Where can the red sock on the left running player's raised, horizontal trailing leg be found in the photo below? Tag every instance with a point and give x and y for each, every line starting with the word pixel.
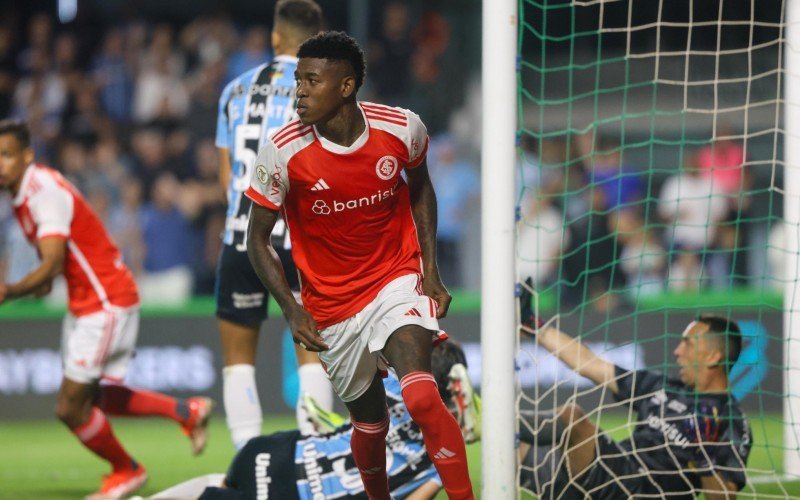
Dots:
pixel 121 400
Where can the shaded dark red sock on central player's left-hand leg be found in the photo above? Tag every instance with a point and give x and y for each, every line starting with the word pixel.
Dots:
pixel 368 444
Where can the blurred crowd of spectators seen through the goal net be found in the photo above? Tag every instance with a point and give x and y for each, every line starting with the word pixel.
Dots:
pixel 601 230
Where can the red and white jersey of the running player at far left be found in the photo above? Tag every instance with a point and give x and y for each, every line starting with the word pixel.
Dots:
pixel 49 206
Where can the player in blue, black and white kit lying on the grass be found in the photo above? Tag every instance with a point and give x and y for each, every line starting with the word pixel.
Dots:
pixel 288 465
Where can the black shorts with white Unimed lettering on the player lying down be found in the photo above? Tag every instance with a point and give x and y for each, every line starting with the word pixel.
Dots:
pixel 266 462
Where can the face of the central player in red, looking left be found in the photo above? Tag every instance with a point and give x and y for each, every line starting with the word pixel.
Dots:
pixel 322 88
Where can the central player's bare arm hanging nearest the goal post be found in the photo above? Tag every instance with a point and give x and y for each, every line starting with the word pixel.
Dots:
pixel 423 209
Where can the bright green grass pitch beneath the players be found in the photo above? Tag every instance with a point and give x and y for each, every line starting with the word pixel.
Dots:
pixel 41 460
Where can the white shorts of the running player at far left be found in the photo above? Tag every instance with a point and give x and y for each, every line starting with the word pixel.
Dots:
pixel 99 345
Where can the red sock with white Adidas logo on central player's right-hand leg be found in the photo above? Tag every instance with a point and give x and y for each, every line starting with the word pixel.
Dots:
pixel 440 431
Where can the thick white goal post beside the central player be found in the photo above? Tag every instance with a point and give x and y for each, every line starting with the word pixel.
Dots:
pixel 498 318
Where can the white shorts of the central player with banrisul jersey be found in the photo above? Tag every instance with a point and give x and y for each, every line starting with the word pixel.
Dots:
pixel 356 343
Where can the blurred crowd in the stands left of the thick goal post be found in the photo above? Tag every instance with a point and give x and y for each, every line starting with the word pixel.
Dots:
pixel 129 113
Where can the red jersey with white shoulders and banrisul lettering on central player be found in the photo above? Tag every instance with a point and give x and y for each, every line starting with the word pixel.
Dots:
pixel 348 208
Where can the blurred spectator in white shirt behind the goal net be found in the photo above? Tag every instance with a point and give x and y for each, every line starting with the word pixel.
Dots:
pixel 692 207
